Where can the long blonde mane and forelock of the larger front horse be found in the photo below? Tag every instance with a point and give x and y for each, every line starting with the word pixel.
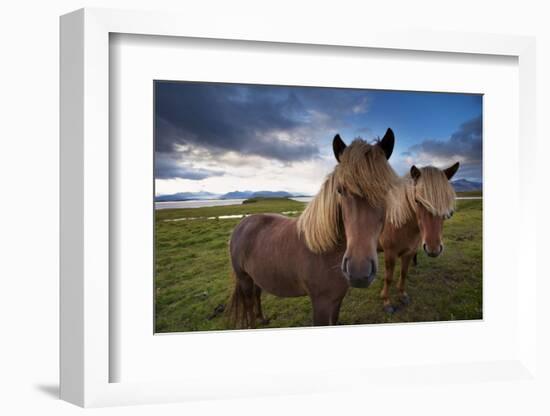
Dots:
pixel 363 171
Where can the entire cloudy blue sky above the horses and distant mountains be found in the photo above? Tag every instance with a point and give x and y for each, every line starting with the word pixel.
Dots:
pixel 225 137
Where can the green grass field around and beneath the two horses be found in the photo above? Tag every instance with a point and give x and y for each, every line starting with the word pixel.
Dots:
pixel 193 282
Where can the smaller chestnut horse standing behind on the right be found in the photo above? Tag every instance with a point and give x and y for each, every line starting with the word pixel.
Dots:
pixel 416 210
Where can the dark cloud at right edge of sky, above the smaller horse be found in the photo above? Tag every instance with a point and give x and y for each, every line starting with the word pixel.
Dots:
pixel 464 145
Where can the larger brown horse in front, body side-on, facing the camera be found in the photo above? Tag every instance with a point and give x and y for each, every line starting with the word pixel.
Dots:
pixel 331 246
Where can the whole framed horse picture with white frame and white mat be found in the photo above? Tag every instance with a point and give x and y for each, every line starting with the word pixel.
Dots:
pixel 284 213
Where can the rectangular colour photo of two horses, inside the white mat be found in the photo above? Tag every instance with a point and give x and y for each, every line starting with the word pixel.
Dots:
pixel 256 223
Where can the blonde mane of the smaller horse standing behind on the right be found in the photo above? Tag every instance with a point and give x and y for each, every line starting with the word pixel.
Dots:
pixel 432 189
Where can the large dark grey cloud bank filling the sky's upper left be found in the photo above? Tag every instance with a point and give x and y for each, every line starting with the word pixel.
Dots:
pixel 273 122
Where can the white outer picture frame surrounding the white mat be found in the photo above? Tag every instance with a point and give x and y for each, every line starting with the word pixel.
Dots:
pixel 85 165
